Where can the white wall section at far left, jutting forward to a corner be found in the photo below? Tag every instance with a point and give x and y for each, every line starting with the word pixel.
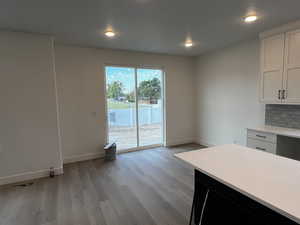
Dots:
pixel 29 143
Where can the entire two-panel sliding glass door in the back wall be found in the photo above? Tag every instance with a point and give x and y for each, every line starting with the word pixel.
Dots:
pixel 134 106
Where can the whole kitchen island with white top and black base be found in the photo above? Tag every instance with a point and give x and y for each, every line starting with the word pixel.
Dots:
pixel 239 185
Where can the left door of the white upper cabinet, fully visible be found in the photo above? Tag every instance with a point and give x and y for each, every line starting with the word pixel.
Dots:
pixel 272 59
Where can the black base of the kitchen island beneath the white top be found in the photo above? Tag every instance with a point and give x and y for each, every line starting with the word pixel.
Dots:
pixel 216 204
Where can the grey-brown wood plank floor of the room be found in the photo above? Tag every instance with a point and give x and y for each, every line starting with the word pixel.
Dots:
pixel 139 188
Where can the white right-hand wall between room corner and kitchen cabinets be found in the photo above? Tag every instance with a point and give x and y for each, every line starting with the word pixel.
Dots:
pixel 228 94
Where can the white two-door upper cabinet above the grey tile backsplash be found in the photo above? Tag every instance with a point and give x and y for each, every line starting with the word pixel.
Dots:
pixel 280 65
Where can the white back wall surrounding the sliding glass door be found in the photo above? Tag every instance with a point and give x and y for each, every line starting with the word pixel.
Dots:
pixel 80 73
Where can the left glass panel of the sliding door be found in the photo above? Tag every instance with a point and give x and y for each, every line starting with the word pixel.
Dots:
pixel 121 106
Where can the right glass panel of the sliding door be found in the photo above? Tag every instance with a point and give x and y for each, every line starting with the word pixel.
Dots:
pixel 150 106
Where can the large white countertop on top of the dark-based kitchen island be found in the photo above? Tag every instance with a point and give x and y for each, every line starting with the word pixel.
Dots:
pixel 271 180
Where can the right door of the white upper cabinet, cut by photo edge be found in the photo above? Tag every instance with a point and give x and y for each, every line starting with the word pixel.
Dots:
pixel 292 67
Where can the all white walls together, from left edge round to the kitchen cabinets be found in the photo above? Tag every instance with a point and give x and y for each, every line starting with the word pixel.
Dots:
pixel 211 99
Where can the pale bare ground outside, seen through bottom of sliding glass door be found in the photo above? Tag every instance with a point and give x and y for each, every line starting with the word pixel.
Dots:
pixel 125 137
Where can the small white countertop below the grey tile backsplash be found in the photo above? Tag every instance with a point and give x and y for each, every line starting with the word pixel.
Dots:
pixel 278 130
